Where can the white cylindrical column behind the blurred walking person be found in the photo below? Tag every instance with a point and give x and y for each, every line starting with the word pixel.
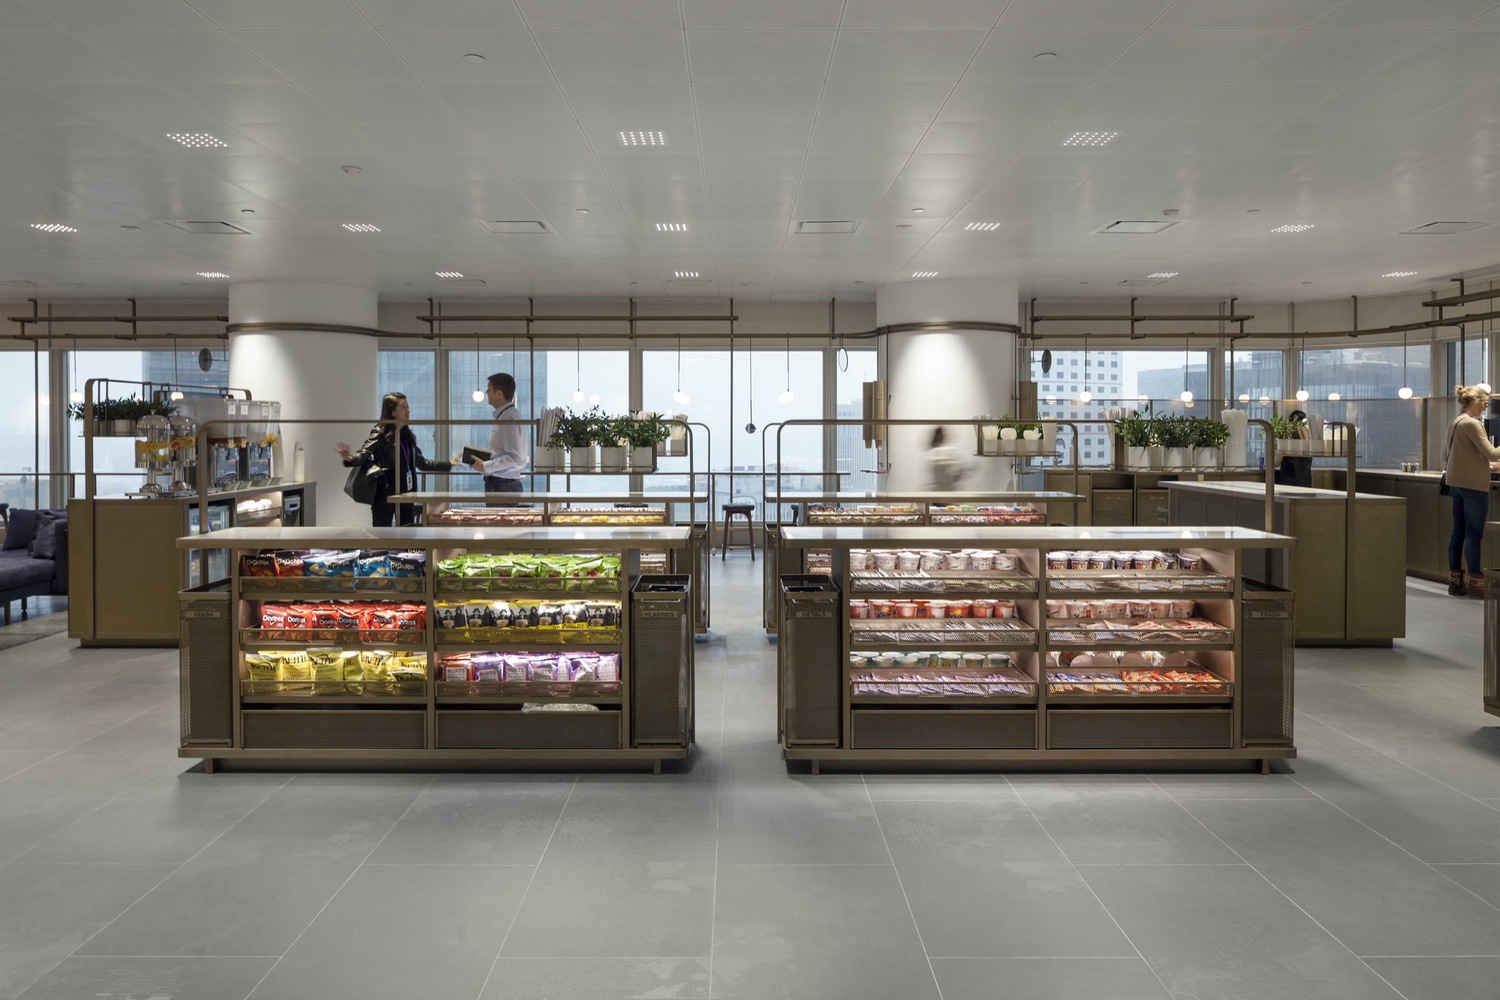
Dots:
pixel 947 374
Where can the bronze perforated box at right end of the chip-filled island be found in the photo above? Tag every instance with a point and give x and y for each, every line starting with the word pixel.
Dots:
pixel 661 660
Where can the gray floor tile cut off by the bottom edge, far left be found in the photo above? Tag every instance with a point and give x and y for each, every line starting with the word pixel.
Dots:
pixel 128 978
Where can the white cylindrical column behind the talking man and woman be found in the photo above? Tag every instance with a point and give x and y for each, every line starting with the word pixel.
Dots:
pixel 314 376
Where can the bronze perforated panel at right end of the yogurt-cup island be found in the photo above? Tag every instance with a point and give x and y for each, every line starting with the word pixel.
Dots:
pixel 1267 669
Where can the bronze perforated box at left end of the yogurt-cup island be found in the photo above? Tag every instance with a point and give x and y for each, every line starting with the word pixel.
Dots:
pixel 811 654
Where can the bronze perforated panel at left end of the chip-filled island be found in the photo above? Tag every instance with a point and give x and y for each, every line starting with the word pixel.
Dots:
pixel 206 671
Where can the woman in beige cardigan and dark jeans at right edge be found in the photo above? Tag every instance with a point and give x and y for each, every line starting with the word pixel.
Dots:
pixel 1469 458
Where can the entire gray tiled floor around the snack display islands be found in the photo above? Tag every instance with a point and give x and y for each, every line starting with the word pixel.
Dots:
pixel 1366 869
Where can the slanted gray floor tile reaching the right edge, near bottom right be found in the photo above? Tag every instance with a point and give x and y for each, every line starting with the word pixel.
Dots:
pixel 1364 890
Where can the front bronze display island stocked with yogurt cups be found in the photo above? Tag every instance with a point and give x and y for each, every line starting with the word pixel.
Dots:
pixel 1043 647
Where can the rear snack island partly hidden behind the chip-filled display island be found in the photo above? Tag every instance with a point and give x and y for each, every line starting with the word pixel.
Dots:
pixel 640 509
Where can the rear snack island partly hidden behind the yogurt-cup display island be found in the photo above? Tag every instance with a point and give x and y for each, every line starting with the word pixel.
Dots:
pixel 892 510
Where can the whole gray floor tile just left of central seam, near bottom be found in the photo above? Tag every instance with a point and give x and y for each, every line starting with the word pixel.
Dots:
pixel 616 906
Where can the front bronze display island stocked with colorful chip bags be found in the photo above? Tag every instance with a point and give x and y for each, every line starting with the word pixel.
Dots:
pixel 431 647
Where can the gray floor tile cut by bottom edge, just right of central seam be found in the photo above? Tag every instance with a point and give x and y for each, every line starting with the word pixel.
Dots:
pixel 814 932
